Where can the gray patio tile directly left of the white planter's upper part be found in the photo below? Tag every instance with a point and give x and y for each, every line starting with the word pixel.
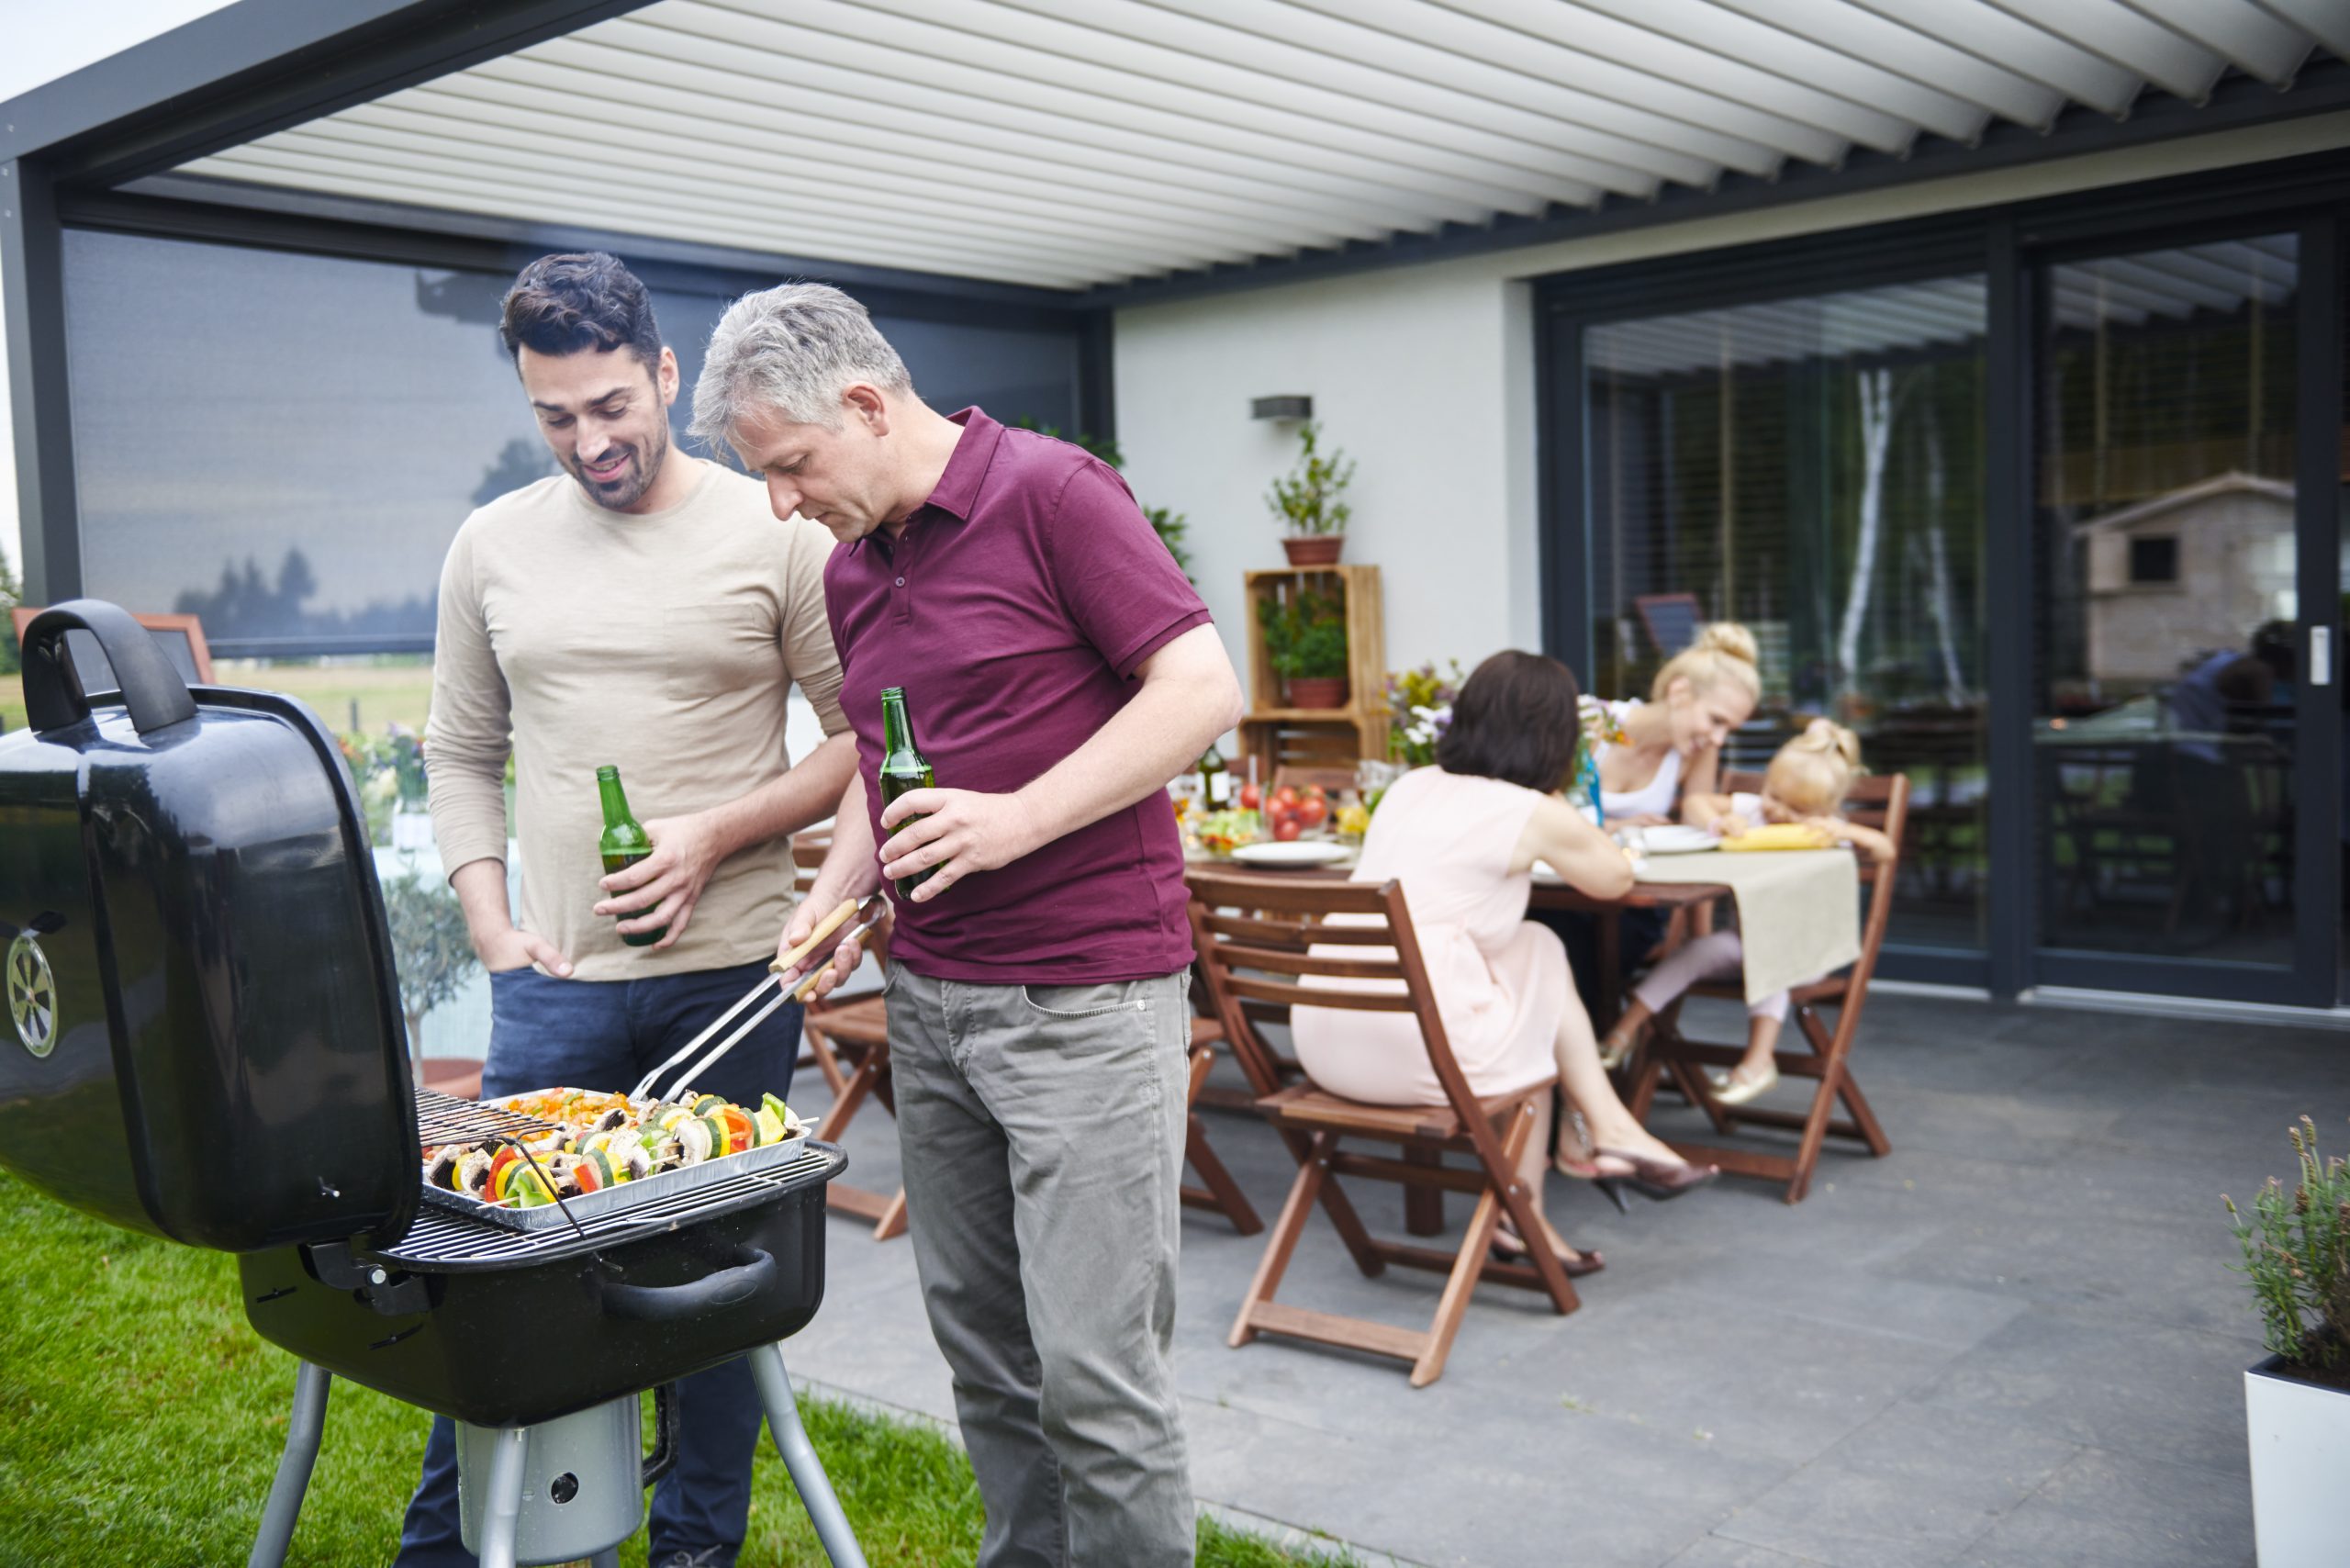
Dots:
pixel 2140 1391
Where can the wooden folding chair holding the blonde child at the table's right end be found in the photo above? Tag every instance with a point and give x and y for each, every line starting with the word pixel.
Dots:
pixel 1827 1061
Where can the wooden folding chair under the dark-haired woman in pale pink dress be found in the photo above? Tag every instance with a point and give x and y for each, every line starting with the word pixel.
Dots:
pixel 1256 939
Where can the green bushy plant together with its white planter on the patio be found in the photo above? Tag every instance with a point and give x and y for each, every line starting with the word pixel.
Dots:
pixel 2297 1402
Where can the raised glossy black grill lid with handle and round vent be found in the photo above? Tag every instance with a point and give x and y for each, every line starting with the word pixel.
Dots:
pixel 206 1033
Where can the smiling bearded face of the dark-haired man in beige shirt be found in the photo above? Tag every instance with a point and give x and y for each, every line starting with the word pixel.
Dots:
pixel 605 417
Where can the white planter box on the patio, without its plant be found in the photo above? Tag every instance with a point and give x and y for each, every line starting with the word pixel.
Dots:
pixel 2299 1463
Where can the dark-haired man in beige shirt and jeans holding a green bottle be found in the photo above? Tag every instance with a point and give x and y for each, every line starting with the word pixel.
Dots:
pixel 640 610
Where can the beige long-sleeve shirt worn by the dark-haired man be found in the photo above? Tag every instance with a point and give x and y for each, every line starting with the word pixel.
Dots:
pixel 662 643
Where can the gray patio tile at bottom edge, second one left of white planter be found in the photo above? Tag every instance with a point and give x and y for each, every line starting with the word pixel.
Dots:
pixel 1905 1492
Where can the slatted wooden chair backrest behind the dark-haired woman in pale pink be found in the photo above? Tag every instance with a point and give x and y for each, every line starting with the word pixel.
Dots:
pixel 1256 944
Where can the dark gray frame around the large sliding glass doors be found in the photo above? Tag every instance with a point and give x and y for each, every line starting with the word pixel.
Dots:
pixel 2008 246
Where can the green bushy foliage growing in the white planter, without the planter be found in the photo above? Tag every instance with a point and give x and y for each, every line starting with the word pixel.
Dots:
pixel 2297 1257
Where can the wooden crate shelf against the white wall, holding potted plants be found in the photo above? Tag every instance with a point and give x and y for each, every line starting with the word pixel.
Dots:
pixel 1317 737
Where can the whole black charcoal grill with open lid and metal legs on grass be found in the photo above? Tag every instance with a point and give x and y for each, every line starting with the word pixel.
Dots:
pixel 206 1045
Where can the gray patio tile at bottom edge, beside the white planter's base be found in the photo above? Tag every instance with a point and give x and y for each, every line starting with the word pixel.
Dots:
pixel 2107 1510
